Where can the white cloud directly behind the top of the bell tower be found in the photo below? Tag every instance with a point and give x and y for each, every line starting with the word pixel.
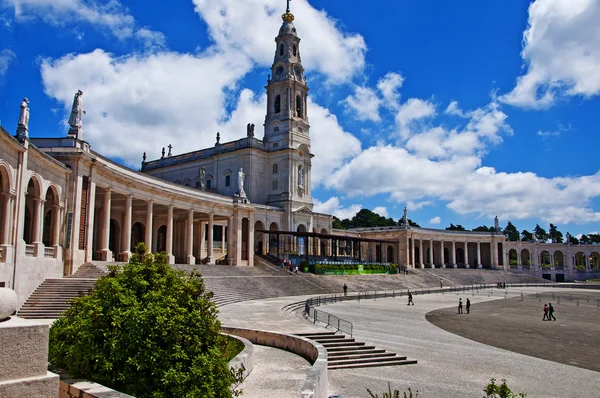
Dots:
pixel 249 28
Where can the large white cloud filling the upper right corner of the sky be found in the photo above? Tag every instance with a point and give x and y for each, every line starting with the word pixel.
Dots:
pixel 560 51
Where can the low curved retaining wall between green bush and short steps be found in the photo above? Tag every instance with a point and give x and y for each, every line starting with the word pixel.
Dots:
pixel 316 383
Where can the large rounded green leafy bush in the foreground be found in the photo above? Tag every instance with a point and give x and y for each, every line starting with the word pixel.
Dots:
pixel 145 330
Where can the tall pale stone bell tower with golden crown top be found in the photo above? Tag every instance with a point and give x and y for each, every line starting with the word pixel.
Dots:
pixel 286 122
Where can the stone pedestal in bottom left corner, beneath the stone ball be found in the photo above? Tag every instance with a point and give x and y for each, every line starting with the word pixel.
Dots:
pixel 24 360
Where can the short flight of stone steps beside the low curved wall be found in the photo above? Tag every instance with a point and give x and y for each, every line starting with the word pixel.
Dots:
pixel 347 353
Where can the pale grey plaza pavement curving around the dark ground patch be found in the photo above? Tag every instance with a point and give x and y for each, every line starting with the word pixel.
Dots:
pixel 449 365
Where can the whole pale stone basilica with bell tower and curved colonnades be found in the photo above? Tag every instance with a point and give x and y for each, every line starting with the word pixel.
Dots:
pixel 62 204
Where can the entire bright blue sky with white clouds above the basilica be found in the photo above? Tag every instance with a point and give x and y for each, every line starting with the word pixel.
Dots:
pixel 460 113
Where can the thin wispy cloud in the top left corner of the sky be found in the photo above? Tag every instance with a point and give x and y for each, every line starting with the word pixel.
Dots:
pixel 105 14
